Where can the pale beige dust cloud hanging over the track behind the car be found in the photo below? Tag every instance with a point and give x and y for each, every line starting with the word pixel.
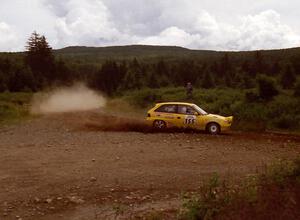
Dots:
pixel 67 99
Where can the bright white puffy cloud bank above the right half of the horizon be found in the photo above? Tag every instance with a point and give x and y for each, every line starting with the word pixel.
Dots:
pixel 261 31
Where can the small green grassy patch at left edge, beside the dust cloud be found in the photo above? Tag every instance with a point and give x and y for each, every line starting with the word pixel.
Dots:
pixel 14 107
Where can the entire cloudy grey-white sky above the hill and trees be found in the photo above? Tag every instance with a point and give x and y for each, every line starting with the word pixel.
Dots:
pixel 195 24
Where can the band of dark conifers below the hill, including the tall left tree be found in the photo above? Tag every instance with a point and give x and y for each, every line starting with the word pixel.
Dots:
pixel 38 68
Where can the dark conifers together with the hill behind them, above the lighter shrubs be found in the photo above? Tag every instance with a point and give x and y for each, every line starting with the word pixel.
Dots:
pixel 114 69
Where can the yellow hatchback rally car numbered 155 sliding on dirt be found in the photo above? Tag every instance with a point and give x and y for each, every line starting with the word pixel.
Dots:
pixel 186 115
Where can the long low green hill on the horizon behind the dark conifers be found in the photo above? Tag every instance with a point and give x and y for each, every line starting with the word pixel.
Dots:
pixel 148 53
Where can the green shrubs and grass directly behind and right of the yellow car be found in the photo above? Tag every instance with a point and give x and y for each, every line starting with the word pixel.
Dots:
pixel 281 113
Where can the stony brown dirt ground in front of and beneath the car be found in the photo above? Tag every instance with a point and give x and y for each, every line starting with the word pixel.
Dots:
pixel 95 166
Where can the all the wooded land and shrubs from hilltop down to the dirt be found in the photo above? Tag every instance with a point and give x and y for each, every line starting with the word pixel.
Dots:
pixel 266 82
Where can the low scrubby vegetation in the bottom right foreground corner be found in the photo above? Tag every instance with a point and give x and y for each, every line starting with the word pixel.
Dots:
pixel 272 195
